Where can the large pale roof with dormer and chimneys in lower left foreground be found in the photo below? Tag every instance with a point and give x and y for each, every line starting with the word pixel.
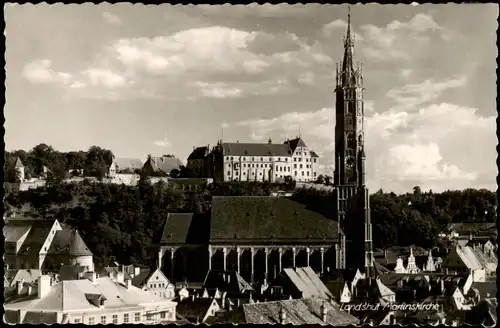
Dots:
pixel 72 295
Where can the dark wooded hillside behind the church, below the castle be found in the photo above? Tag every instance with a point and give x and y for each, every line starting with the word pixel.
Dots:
pixel 124 222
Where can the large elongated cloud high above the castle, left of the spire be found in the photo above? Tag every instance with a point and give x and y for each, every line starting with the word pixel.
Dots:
pixel 223 62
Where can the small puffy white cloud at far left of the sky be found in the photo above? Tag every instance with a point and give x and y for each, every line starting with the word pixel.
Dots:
pixel 40 71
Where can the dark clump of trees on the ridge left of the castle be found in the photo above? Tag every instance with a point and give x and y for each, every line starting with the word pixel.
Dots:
pixel 93 163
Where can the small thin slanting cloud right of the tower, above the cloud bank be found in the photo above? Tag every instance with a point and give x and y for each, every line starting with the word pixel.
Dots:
pixel 413 95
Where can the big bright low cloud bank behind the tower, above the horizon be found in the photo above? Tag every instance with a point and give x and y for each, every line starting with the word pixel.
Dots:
pixel 403 148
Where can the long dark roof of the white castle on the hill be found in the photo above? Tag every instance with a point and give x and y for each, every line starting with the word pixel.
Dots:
pixel 255 149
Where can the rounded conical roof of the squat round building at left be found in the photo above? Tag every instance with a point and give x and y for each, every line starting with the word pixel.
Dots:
pixel 69 242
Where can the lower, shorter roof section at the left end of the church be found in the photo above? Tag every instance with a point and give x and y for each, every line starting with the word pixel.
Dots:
pixel 188 228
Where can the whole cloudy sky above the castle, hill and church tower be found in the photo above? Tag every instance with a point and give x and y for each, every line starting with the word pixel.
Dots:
pixel 161 79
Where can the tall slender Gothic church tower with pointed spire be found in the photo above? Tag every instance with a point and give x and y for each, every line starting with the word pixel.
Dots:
pixel 353 202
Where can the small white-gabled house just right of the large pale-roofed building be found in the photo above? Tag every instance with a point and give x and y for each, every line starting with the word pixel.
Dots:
pixel 156 282
